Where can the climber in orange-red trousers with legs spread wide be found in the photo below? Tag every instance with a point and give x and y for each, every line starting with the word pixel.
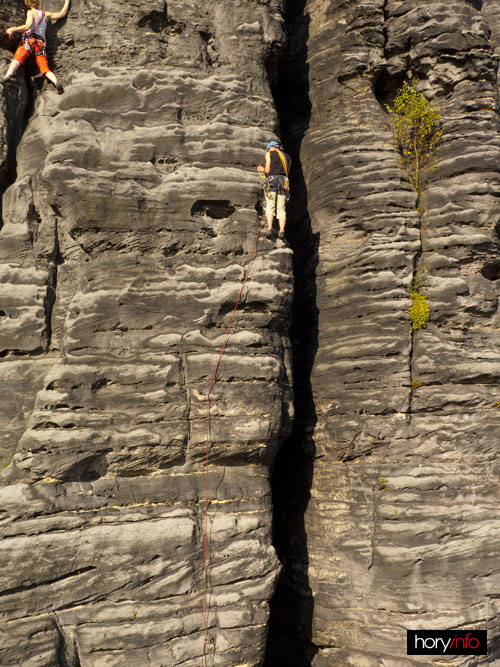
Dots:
pixel 33 40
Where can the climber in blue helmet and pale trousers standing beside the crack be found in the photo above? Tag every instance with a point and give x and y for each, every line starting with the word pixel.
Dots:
pixel 277 189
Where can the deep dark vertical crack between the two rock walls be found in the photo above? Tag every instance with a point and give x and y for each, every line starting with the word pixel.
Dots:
pixel 289 640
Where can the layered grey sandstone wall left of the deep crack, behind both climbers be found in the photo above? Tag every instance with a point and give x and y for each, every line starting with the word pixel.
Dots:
pixel 130 211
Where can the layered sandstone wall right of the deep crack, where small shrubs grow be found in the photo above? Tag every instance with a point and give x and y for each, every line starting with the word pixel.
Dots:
pixel 401 529
